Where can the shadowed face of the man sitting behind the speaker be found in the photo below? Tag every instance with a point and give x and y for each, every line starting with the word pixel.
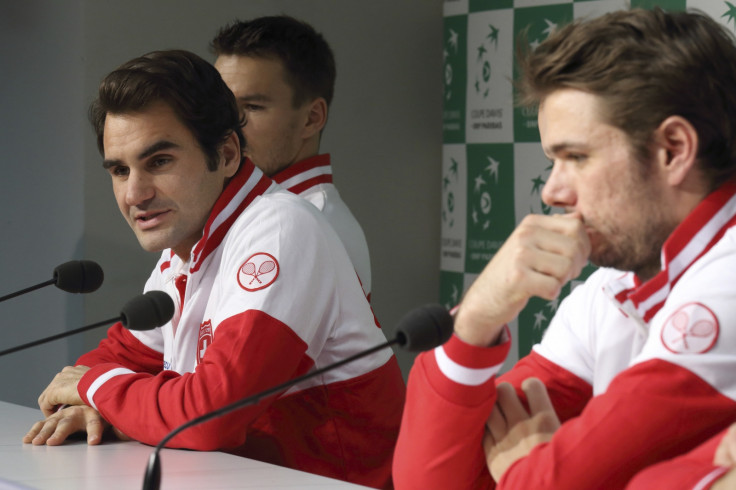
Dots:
pixel 274 127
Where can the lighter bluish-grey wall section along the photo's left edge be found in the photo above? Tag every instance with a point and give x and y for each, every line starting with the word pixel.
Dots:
pixel 41 185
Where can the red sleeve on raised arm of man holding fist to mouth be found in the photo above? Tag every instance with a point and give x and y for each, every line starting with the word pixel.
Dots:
pixel 440 444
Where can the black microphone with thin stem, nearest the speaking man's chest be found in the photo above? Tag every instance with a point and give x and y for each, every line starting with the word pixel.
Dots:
pixel 143 312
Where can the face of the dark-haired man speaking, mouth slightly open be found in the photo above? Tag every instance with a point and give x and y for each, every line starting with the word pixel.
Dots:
pixel 160 178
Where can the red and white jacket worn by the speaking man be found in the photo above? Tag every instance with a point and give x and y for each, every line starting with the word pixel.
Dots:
pixel 268 295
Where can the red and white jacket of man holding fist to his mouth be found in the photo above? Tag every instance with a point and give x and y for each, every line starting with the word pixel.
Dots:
pixel 638 373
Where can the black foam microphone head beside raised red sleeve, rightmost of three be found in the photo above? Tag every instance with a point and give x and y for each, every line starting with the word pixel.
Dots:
pixel 424 328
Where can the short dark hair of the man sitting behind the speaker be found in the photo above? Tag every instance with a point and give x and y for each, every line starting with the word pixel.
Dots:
pixel 308 61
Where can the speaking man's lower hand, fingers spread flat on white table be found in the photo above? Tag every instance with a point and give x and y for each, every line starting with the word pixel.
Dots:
pixel 70 420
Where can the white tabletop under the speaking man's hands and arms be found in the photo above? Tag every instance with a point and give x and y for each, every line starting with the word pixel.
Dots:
pixel 121 465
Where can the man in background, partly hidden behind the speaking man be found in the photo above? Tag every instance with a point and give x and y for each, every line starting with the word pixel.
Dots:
pixel 282 73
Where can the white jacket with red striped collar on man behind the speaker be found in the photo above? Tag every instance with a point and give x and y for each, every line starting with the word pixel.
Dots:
pixel 311 179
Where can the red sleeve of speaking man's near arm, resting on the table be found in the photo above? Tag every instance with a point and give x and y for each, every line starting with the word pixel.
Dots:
pixel 251 352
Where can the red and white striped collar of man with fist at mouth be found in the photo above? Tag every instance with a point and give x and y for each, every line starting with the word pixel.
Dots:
pixel 692 238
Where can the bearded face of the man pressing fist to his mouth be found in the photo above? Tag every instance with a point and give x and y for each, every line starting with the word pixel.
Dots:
pixel 596 174
